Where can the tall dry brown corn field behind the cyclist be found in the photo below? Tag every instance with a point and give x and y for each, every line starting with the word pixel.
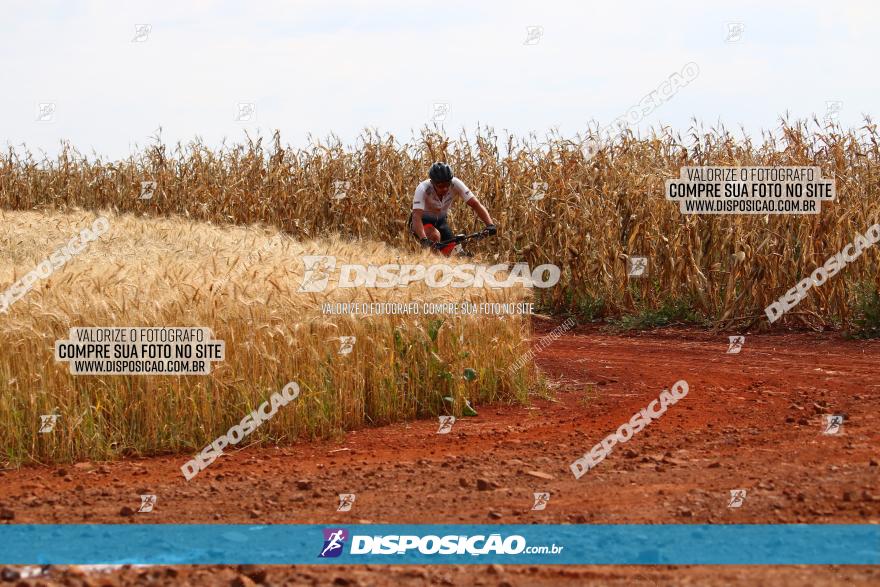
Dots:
pixel 597 210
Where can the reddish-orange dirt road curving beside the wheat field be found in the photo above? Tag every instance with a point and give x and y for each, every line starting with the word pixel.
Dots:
pixel 750 421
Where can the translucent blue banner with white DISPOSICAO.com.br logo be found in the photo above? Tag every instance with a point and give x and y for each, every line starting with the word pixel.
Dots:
pixel 533 544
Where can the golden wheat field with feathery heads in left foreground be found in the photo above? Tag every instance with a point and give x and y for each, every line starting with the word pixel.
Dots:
pixel 243 283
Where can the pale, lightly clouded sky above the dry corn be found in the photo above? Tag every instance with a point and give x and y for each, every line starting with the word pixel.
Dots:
pixel 337 67
